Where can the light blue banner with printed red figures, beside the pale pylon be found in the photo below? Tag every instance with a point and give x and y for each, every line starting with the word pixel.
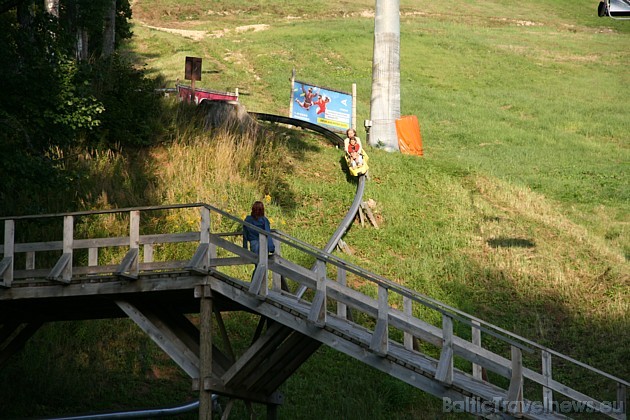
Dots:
pixel 329 108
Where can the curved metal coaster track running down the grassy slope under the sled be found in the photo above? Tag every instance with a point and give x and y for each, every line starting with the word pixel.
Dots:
pixel 358 196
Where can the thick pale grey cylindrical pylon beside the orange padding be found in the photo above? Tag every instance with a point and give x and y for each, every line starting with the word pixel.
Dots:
pixel 385 100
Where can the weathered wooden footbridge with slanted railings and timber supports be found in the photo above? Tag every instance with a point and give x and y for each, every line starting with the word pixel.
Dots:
pixel 141 274
